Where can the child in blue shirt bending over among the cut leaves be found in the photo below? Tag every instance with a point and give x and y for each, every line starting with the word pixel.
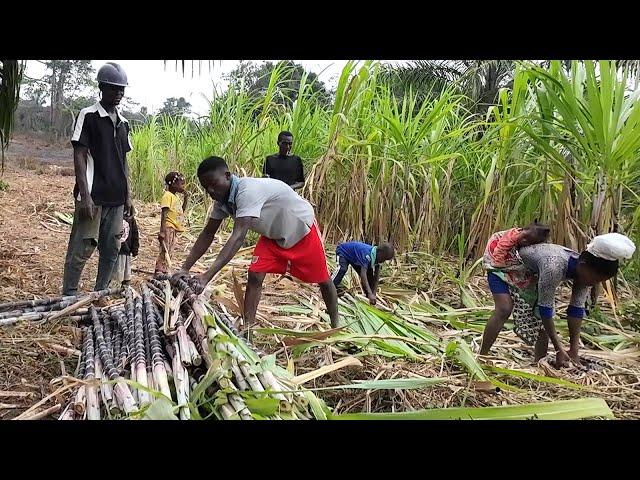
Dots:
pixel 364 259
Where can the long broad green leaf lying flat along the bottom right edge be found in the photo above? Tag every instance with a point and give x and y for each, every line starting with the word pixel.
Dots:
pixel 558 410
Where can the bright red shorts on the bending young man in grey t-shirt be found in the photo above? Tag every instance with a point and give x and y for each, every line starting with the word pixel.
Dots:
pixel 305 260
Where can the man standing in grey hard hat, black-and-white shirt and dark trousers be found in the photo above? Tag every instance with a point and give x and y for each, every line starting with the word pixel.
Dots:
pixel 100 143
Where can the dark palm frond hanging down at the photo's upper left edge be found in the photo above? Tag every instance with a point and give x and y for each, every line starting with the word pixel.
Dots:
pixel 10 78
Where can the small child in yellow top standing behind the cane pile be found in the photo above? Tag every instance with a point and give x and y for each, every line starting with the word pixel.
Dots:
pixel 171 221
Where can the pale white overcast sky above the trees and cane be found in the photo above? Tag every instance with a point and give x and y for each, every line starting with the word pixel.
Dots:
pixel 151 83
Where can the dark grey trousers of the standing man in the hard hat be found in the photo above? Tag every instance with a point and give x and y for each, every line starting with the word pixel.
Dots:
pixel 103 231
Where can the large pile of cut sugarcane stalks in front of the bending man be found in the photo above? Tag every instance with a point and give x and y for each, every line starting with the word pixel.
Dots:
pixel 165 344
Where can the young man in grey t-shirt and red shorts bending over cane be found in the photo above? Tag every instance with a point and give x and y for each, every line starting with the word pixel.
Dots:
pixel 289 236
